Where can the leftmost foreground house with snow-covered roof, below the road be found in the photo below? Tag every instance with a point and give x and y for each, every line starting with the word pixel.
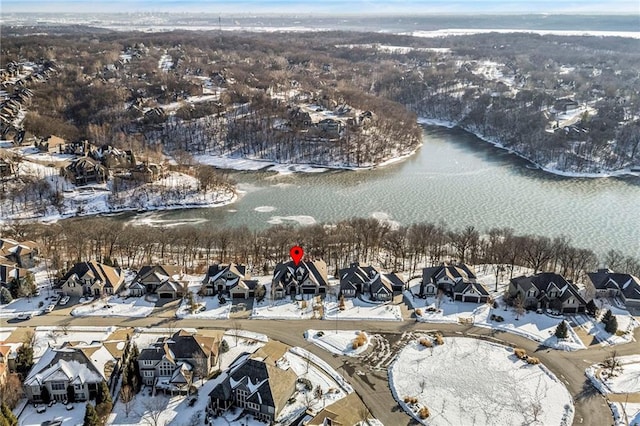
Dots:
pixel 83 368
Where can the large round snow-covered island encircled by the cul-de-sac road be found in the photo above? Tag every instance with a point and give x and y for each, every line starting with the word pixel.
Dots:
pixel 468 381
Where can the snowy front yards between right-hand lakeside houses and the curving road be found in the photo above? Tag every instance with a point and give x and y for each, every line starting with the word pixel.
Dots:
pixel 534 326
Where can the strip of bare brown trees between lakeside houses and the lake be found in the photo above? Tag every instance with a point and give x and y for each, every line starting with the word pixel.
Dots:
pixel 365 240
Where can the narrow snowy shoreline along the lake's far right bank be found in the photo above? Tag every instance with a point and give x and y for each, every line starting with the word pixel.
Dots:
pixel 584 175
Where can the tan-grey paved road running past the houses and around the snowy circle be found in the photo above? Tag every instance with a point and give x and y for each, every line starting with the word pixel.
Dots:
pixel 372 387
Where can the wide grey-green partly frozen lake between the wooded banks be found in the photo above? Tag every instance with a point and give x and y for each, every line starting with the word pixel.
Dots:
pixel 455 178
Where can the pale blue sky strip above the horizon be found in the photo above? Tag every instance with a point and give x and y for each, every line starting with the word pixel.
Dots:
pixel 328 7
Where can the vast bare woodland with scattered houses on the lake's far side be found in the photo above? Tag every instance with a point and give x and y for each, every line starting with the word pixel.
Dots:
pixel 501 86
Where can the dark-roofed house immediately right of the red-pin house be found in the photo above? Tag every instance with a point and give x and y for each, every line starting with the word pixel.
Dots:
pixel 361 279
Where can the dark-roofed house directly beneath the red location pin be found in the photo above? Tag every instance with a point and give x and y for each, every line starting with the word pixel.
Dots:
pixel 308 277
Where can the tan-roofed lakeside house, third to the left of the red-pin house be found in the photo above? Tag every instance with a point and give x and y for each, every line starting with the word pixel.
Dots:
pixel 91 279
